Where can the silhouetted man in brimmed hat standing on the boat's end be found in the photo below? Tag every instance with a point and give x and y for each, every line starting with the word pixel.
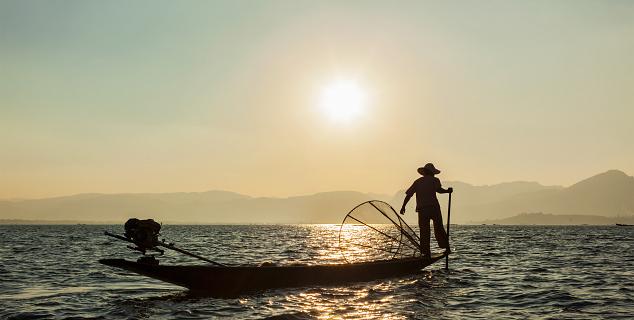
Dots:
pixel 428 207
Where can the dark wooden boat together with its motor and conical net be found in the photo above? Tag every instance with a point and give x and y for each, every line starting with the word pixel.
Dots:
pixel 398 253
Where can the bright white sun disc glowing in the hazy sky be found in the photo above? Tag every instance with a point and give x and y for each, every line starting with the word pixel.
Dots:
pixel 343 100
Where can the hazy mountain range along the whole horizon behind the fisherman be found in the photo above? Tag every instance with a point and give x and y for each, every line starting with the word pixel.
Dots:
pixel 608 194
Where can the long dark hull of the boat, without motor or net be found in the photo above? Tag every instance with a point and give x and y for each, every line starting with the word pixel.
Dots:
pixel 231 281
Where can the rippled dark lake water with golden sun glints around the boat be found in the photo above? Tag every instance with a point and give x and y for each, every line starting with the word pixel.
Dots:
pixel 512 272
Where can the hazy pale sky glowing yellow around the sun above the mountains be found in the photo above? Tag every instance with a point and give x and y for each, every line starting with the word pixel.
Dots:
pixel 151 96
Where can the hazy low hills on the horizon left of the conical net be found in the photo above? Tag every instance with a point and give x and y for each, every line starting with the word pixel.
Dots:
pixel 202 207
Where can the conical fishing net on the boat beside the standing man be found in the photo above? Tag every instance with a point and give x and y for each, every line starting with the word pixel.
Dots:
pixel 374 231
